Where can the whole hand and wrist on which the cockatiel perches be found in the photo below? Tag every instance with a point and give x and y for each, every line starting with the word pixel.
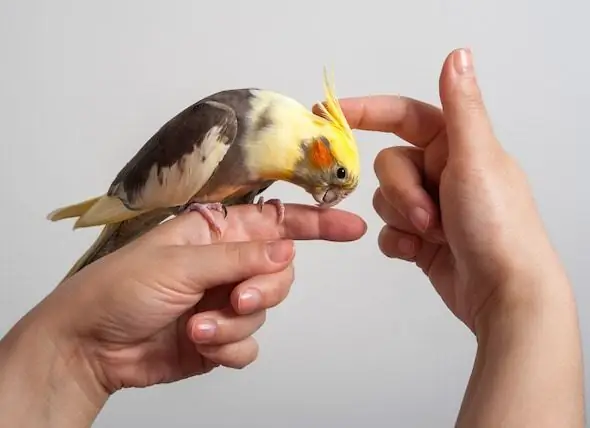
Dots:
pixel 176 303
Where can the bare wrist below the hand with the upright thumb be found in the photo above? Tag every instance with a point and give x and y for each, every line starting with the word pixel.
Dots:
pixel 528 368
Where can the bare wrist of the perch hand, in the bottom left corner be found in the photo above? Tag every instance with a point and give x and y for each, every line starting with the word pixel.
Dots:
pixel 45 379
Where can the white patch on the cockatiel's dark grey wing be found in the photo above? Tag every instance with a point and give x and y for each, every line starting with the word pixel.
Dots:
pixel 177 184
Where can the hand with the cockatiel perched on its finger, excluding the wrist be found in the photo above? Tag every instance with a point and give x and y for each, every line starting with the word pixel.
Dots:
pixel 167 306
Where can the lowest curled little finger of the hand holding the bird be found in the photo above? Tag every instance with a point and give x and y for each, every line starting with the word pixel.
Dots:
pixel 236 355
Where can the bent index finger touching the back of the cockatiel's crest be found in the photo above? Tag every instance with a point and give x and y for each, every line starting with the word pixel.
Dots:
pixel 414 121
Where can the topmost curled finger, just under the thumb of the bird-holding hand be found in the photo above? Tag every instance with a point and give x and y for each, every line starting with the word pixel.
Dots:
pixel 262 291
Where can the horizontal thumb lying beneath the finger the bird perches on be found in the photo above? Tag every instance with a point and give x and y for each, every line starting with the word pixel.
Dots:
pixel 213 265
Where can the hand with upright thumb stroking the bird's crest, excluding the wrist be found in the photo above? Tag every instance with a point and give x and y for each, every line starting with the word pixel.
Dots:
pixel 456 203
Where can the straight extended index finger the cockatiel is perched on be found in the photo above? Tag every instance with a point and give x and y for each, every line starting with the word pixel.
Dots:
pixel 247 222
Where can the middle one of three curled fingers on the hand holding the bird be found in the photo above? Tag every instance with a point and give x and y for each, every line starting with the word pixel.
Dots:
pixel 222 327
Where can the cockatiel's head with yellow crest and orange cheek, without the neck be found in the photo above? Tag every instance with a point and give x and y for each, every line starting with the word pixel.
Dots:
pixel 330 167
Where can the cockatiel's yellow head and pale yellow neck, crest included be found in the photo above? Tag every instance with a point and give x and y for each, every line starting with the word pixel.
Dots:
pixel 316 152
